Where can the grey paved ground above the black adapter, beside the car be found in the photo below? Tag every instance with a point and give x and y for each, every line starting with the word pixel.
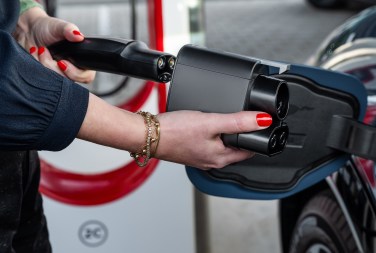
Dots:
pixel 288 30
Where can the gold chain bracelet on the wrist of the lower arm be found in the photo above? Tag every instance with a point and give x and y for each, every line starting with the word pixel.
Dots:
pixel 143 156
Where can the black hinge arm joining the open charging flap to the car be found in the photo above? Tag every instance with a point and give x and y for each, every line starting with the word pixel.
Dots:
pixel 353 137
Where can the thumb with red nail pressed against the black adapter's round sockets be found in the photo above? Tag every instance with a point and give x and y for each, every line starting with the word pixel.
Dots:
pixel 241 122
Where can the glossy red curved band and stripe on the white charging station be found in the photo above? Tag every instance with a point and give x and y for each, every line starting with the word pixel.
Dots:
pixel 88 190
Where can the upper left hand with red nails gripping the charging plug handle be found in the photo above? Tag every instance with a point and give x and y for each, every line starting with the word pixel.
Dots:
pixel 36 30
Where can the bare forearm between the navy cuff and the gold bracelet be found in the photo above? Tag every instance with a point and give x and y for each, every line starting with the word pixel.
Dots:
pixel 110 126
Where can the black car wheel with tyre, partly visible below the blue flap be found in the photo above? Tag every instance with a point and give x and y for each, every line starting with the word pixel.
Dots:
pixel 322 228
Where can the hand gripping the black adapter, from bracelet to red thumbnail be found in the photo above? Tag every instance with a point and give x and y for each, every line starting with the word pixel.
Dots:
pixel 194 138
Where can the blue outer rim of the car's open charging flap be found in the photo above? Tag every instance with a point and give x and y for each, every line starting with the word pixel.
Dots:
pixel 330 79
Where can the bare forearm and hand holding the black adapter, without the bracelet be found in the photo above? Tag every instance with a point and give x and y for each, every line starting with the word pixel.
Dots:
pixel 187 137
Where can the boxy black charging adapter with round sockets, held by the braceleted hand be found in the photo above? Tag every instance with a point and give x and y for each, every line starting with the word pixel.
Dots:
pixel 214 81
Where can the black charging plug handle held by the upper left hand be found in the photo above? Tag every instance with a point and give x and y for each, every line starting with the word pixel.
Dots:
pixel 119 56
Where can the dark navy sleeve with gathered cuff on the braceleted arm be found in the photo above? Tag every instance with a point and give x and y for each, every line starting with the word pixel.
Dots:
pixel 39 109
